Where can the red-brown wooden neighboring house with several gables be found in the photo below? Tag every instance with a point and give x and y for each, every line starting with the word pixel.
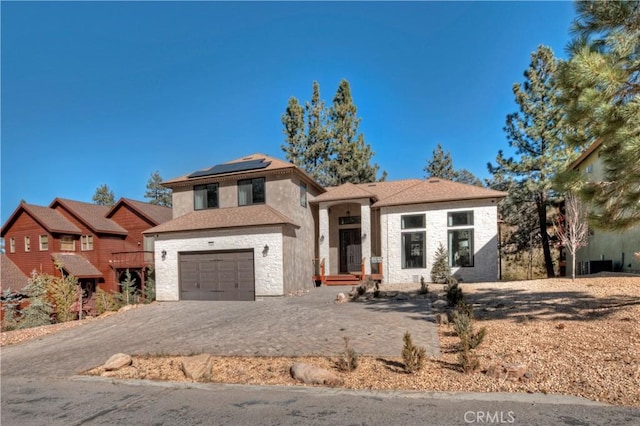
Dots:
pixel 96 244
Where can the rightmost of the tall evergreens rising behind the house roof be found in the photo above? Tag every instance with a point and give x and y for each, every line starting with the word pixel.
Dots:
pixel 350 159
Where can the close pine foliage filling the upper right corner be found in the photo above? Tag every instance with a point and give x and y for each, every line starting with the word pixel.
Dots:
pixel 601 87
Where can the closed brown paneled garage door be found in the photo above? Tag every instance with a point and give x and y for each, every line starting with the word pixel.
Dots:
pixel 219 275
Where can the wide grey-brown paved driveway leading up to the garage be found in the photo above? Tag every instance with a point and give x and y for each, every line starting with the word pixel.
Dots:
pixel 311 324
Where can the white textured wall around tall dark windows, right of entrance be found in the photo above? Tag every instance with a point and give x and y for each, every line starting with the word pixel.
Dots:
pixel 485 240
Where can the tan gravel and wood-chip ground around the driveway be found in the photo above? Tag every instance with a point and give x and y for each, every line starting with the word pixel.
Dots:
pixel 577 338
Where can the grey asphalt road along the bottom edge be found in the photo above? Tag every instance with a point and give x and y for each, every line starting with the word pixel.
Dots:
pixel 90 401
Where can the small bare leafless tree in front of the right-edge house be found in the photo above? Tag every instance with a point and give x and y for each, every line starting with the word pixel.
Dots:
pixel 573 232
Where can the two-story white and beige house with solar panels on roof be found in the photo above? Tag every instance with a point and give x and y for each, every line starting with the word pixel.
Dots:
pixel 260 226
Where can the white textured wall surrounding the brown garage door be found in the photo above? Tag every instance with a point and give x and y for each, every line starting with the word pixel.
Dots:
pixel 268 264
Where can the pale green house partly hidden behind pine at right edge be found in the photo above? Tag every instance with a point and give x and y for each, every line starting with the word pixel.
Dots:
pixel 606 250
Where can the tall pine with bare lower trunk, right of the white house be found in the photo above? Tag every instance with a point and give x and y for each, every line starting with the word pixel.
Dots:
pixel 536 132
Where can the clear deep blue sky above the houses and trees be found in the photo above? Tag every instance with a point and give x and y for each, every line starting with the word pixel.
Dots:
pixel 109 92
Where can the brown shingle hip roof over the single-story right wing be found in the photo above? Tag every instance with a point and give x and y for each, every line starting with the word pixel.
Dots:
pixel 435 190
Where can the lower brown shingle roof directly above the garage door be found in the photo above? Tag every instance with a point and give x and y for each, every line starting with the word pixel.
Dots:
pixel 230 217
